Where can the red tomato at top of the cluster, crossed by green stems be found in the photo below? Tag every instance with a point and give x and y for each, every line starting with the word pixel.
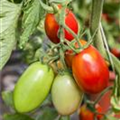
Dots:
pixel 52 26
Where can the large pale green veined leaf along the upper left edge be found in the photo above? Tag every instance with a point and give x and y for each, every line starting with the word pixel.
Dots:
pixel 9 13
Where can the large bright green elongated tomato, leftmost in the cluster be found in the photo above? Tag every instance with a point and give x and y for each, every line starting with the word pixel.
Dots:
pixel 33 87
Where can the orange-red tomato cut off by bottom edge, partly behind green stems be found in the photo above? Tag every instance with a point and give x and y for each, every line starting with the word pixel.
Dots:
pixel 86 114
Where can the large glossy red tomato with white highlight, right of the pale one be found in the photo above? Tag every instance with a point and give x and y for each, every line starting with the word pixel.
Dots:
pixel 90 71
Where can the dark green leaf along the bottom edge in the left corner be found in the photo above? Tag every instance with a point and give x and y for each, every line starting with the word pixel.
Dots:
pixel 16 117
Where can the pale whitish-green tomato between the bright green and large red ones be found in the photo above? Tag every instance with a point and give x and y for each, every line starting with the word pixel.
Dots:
pixel 66 95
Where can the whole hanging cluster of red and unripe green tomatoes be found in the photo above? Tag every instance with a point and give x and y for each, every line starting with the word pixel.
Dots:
pixel 90 75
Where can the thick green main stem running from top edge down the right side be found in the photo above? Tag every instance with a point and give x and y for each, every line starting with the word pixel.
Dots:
pixel 100 39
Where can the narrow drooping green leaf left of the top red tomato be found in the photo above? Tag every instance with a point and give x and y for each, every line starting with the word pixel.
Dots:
pixel 33 14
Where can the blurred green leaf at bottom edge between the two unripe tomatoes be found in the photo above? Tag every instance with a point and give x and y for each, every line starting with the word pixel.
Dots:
pixel 48 114
